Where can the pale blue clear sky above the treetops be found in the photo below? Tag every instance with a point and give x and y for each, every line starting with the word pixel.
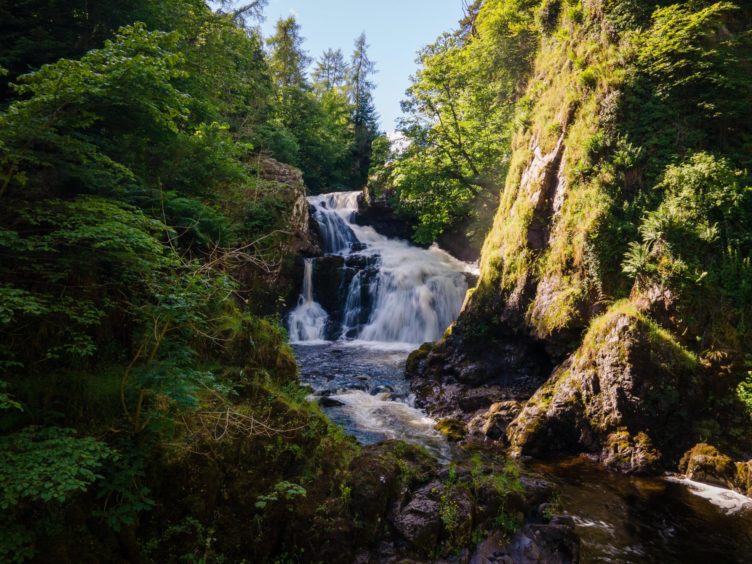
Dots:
pixel 396 29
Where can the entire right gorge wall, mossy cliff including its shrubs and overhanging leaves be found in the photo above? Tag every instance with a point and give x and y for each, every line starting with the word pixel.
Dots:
pixel 609 315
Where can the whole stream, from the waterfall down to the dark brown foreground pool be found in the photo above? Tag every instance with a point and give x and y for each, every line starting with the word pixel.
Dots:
pixel 370 300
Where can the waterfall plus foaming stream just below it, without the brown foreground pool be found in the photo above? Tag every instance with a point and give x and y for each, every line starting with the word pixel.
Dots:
pixel 384 298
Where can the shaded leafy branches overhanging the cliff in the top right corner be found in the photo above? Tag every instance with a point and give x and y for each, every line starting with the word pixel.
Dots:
pixel 691 76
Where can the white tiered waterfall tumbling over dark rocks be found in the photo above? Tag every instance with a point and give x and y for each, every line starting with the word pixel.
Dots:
pixel 398 294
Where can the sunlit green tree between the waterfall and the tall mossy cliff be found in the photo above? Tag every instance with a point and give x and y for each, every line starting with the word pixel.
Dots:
pixel 460 111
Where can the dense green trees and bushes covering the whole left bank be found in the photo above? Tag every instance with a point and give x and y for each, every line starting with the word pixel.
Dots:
pixel 134 200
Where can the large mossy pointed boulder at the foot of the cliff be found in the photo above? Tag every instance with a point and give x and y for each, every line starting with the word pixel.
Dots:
pixel 625 394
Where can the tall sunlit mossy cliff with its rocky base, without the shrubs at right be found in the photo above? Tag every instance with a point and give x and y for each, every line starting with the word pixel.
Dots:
pixel 566 344
